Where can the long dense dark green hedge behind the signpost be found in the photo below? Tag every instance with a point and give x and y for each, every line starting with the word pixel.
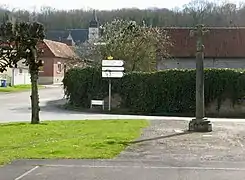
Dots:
pixel 170 91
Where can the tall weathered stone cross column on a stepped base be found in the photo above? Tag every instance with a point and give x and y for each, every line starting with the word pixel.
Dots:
pixel 200 124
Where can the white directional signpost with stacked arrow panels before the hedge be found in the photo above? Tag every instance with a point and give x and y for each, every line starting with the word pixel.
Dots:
pixel 112 69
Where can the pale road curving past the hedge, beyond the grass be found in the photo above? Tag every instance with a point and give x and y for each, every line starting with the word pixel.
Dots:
pixel 16 107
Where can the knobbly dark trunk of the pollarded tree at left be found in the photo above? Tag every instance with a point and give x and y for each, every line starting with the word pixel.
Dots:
pixel 34 98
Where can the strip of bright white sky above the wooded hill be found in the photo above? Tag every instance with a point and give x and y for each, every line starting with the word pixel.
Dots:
pixel 97 4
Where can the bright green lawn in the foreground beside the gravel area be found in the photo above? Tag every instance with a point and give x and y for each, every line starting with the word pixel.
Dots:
pixel 93 139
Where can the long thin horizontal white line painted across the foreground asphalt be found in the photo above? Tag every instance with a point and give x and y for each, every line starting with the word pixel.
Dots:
pixel 147 167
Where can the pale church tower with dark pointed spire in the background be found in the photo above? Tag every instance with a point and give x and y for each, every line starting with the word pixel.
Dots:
pixel 93 33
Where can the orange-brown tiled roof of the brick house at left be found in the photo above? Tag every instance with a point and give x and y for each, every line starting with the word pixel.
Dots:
pixel 60 50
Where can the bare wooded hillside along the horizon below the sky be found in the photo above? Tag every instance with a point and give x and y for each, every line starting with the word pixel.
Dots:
pixel 197 11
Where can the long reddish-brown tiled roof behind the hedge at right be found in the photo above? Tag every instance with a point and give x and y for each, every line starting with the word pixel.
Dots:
pixel 219 42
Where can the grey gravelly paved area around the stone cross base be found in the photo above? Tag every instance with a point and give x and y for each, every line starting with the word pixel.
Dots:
pixel 225 143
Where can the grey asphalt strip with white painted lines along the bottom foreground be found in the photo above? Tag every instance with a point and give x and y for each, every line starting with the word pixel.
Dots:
pixel 121 170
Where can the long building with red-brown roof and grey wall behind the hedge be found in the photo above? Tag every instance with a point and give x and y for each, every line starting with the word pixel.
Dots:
pixel 224 48
